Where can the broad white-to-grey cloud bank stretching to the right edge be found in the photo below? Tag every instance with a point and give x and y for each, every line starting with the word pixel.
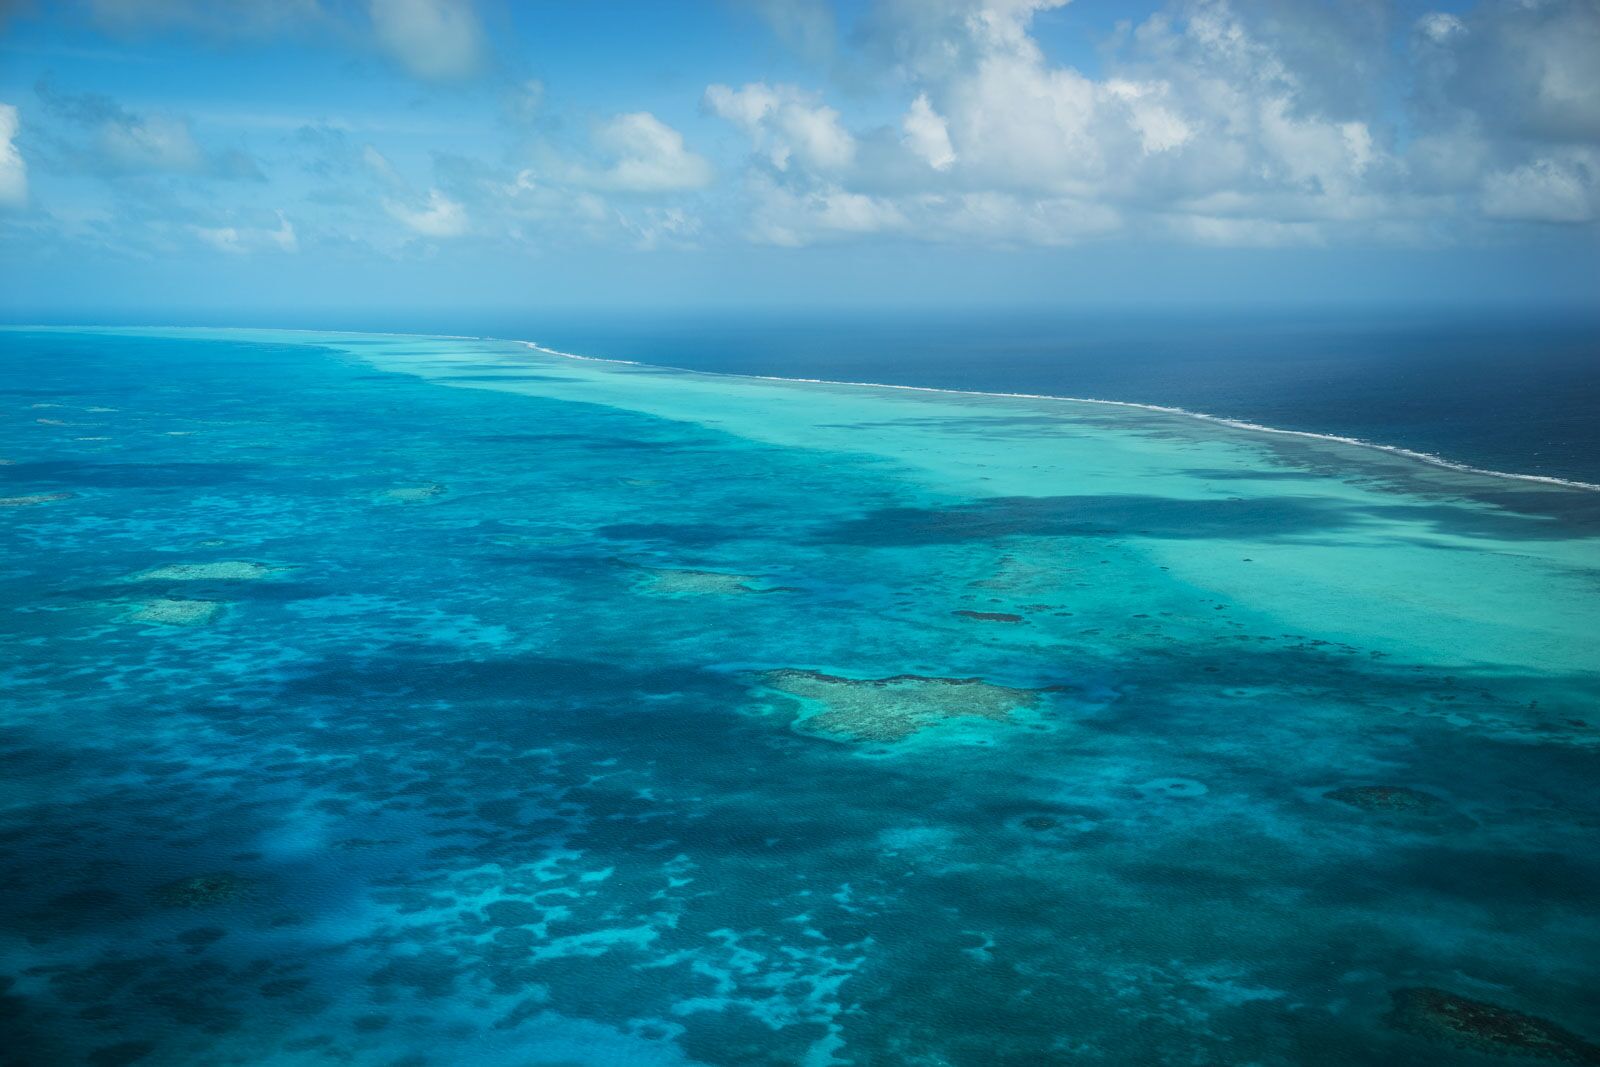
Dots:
pixel 1215 121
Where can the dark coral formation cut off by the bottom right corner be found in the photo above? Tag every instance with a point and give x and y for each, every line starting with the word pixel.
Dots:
pixel 1478 1025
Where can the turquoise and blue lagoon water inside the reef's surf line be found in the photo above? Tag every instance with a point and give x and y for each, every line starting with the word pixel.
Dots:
pixel 404 700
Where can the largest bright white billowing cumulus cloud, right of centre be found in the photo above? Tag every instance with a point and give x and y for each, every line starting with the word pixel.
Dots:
pixel 1026 150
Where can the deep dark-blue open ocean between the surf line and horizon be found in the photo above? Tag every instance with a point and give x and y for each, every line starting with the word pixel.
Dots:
pixel 1495 391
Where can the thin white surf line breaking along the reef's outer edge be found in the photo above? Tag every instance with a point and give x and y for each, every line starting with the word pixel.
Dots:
pixel 1239 425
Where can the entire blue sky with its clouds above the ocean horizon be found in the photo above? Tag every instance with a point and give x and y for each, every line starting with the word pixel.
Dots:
pixel 305 161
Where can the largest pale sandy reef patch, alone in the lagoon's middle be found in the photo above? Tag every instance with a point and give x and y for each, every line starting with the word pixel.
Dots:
pixel 897 708
